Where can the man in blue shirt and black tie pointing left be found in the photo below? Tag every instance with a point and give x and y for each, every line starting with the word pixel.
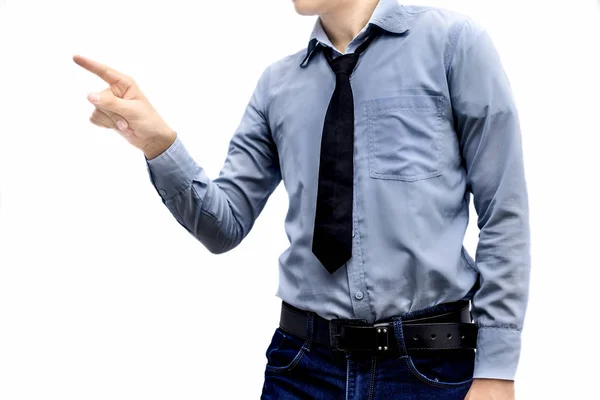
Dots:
pixel 381 128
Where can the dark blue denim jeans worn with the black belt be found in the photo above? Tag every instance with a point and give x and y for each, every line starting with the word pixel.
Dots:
pixel 300 369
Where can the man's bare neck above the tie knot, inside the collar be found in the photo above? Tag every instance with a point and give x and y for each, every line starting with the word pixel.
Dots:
pixel 344 23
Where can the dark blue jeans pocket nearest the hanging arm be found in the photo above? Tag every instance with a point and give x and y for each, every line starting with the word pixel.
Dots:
pixel 442 368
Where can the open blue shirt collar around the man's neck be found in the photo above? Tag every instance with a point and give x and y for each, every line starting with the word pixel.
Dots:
pixel 389 15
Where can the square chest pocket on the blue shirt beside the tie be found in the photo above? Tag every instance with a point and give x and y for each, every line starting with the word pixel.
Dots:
pixel 403 135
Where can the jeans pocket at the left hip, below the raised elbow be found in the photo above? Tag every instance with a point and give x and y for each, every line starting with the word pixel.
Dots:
pixel 284 352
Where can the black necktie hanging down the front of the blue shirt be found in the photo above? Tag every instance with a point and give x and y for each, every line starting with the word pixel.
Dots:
pixel 332 236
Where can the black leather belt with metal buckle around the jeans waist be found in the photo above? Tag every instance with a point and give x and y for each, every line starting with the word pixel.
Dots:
pixel 446 330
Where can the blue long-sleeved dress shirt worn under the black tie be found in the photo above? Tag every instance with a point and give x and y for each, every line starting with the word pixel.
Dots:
pixel 435 121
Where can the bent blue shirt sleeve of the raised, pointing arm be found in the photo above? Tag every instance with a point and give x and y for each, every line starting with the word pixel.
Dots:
pixel 220 212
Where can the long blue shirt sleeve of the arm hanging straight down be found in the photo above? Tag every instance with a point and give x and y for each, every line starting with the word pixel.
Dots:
pixel 487 125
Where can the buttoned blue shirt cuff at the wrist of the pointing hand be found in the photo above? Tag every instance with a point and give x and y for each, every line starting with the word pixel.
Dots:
pixel 173 170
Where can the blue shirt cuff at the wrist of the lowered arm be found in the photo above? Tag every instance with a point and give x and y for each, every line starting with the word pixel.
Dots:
pixel 498 351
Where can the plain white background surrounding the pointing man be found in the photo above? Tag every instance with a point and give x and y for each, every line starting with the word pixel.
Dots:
pixel 104 296
